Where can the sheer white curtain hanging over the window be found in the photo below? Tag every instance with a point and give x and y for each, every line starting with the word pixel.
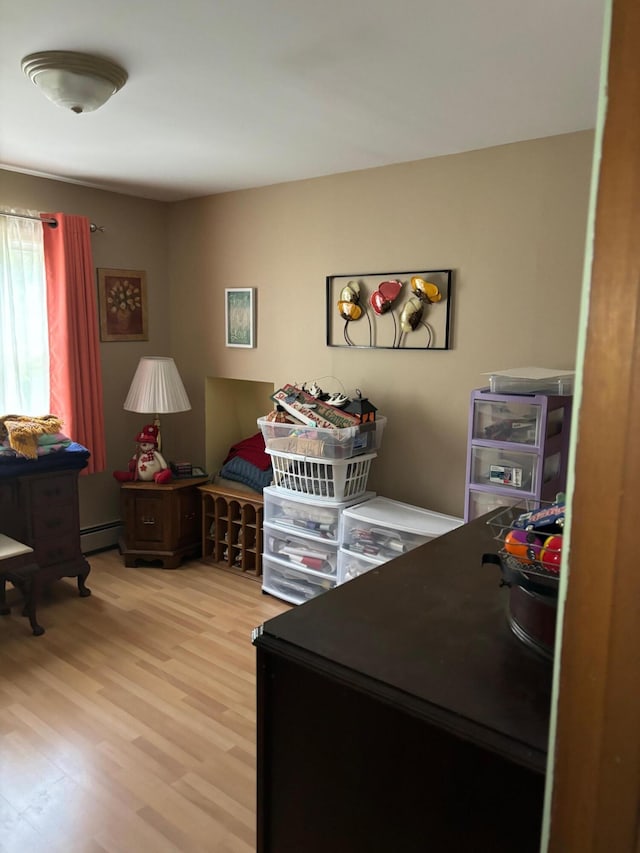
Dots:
pixel 24 348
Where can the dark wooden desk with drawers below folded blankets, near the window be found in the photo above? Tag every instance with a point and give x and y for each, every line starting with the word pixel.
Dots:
pixel 39 506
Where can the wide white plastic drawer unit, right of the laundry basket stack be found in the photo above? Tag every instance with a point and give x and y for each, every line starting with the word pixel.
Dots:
pixel 381 529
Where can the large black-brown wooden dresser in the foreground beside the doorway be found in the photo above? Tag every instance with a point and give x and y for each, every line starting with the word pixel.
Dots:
pixel 399 712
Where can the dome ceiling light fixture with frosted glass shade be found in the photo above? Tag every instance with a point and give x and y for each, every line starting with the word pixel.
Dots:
pixel 75 81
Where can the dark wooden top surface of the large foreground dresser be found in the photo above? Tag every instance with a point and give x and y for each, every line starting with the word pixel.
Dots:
pixel 429 632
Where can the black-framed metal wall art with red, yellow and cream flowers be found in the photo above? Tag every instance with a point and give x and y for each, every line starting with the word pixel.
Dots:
pixel 397 310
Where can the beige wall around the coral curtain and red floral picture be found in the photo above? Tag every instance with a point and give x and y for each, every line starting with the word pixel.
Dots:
pixel 135 237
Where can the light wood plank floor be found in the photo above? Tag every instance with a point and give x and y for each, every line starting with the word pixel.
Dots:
pixel 130 725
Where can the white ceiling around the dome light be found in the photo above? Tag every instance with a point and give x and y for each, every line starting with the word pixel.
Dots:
pixel 230 94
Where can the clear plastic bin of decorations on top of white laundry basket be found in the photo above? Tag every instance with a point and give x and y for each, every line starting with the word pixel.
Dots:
pixel 323 443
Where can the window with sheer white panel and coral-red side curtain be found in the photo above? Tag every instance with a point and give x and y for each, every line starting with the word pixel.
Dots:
pixel 49 346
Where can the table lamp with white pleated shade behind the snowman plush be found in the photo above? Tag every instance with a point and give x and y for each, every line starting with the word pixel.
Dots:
pixel 157 389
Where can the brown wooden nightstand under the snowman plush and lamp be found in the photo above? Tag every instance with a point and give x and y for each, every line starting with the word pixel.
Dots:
pixel 161 522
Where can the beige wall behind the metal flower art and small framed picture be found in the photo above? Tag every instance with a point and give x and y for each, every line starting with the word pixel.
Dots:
pixel 509 220
